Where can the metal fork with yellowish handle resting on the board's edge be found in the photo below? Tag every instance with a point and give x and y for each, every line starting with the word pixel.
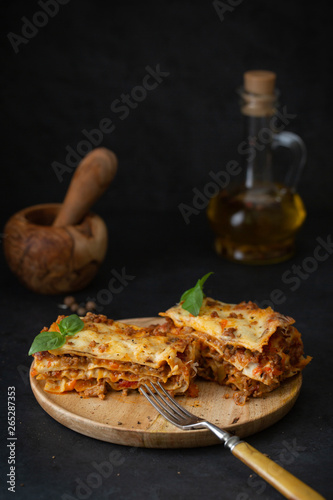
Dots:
pixel 277 476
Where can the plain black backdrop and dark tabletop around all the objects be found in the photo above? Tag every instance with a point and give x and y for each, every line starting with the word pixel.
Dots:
pixel 63 81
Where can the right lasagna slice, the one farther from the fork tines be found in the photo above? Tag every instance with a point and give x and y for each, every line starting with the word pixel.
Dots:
pixel 252 350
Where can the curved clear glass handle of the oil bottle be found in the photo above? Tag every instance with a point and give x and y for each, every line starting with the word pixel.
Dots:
pixel 297 147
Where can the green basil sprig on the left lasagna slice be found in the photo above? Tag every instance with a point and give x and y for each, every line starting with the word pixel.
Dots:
pixel 46 341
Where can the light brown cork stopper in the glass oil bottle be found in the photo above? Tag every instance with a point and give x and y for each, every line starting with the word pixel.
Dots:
pixel 258 93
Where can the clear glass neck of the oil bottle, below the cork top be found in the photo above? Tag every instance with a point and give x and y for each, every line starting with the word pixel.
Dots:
pixel 257 112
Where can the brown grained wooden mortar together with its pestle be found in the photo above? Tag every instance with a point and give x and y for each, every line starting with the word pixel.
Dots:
pixel 57 248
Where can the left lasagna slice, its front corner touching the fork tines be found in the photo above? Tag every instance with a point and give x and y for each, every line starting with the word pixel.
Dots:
pixel 107 355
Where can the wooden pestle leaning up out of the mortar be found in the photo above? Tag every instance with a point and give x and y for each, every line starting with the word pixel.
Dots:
pixel 91 178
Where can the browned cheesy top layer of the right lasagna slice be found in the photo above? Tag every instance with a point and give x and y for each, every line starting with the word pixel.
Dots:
pixel 241 325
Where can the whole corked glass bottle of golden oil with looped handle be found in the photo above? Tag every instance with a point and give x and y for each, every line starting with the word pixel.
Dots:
pixel 256 219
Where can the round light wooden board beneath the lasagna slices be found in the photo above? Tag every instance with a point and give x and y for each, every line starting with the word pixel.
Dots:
pixel 130 420
